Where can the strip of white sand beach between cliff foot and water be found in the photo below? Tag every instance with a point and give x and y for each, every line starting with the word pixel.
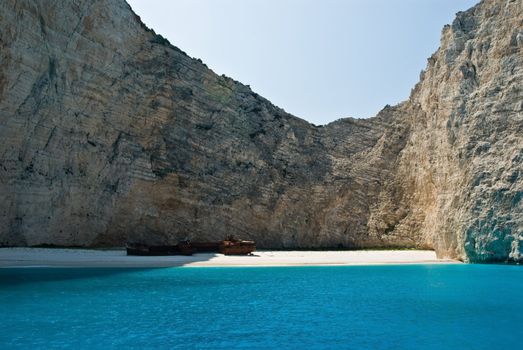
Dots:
pixel 33 257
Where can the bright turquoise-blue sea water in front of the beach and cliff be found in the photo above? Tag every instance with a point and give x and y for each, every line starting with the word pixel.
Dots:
pixel 352 307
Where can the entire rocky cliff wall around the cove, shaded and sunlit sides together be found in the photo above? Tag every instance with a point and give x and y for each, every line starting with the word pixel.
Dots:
pixel 110 134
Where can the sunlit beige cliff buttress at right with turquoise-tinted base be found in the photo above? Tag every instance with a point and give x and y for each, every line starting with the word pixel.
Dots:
pixel 462 165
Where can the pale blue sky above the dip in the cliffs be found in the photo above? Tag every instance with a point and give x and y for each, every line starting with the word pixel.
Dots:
pixel 320 60
